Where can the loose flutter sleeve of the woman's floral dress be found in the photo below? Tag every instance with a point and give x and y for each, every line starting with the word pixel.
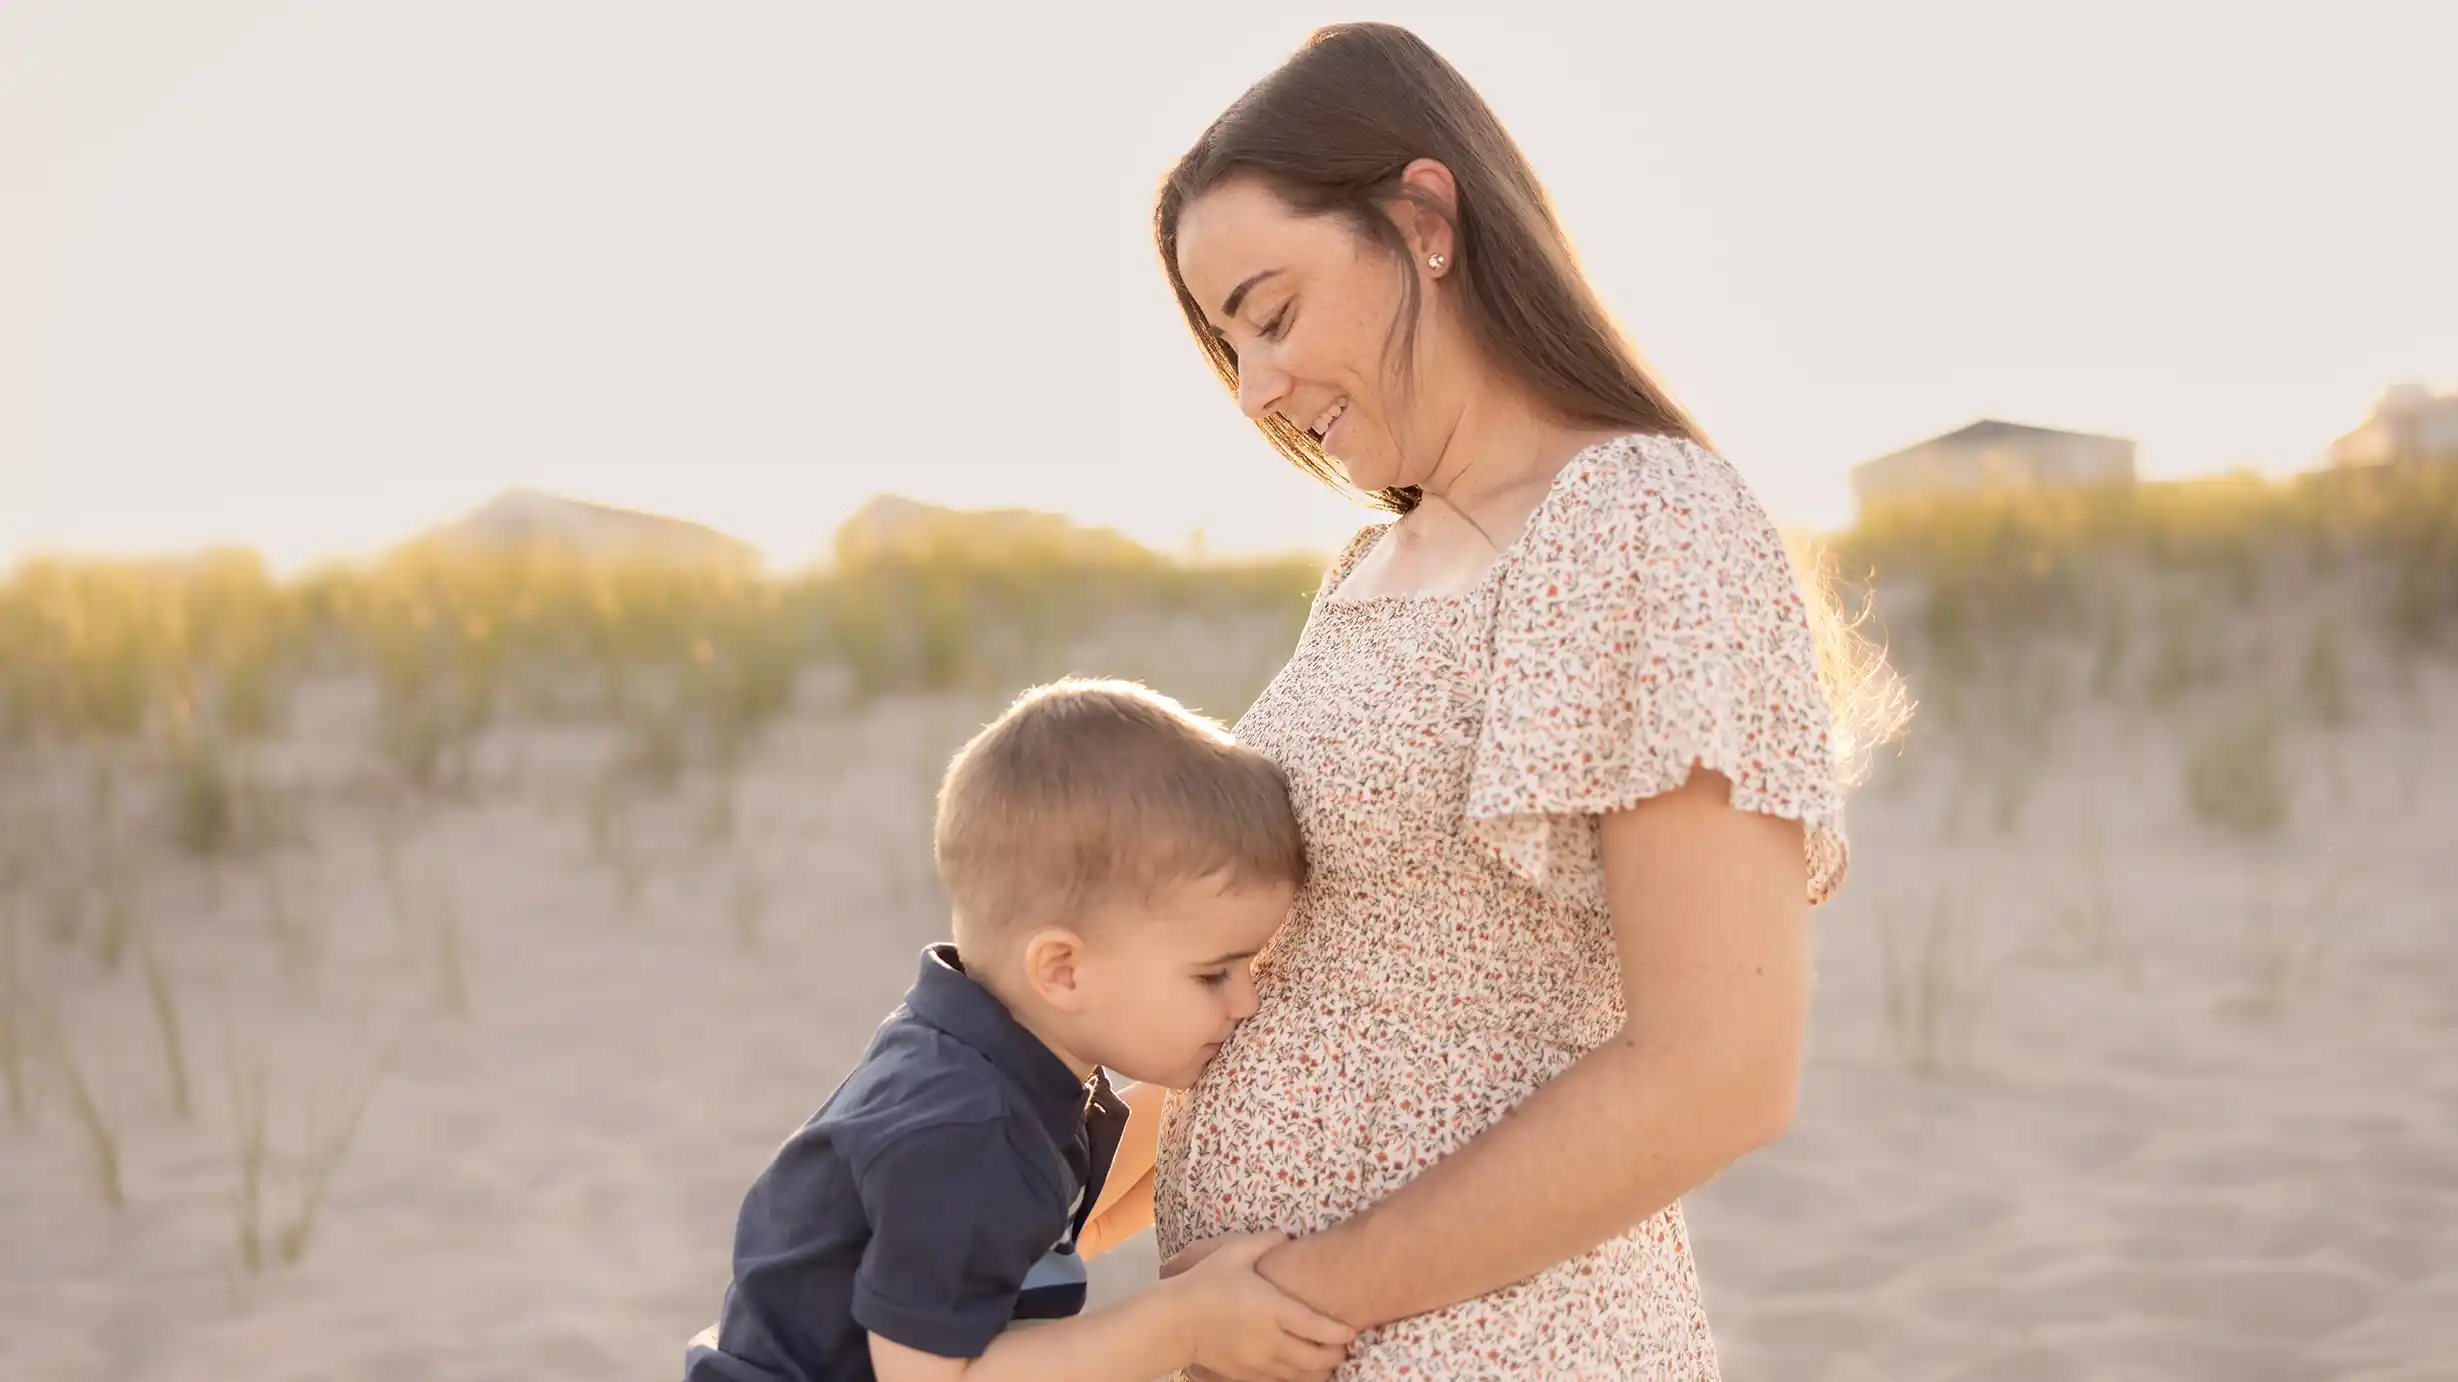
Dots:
pixel 1653 626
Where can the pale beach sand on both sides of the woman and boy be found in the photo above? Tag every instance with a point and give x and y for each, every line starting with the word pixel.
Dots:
pixel 2189 1110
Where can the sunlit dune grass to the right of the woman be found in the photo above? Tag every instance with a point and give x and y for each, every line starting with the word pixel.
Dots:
pixel 2154 604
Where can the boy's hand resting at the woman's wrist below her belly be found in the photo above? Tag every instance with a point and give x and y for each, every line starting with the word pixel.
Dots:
pixel 1247 1329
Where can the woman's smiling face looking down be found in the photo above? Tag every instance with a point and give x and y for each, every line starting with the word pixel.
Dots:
pixel 1309 306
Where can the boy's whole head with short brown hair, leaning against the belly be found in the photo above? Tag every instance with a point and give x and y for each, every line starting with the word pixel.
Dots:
pixel 1115 862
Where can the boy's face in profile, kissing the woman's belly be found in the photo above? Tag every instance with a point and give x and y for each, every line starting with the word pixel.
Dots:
pixel 1164 982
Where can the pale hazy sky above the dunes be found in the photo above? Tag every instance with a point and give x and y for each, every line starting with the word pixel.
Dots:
pixel 313 277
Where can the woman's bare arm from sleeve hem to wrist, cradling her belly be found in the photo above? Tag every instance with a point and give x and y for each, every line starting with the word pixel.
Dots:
pixel 1712 926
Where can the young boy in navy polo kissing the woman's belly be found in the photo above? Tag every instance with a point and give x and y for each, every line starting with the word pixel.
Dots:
pixel 1112 864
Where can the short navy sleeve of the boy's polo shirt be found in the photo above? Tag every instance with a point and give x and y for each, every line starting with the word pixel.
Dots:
pixel 957 1221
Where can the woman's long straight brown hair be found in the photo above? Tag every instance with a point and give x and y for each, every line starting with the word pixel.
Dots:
pixel 1331 134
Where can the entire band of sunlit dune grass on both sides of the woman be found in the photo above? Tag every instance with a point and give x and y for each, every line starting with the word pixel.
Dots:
pixel 178 668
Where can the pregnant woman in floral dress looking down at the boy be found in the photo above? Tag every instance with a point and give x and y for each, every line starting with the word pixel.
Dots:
pixel 1565 739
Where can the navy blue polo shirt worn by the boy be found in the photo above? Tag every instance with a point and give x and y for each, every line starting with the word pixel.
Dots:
pixel 935 1199
